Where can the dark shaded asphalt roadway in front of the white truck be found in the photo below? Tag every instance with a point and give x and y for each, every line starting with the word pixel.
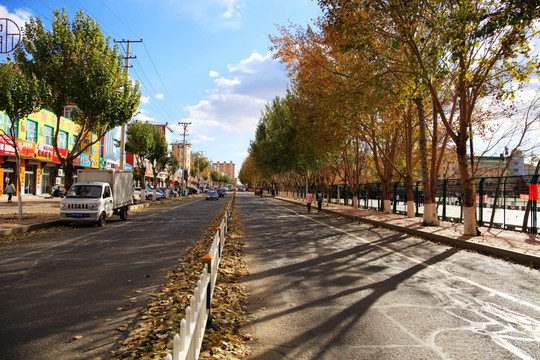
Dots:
pixel 65 293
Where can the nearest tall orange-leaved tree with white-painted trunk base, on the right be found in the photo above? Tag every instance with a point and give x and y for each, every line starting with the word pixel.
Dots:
pixel 472 47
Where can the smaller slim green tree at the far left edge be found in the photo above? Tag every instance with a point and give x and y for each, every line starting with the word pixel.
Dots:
pixel 19 97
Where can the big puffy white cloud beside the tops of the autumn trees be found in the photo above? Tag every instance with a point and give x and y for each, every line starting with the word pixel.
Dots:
pixel 235 104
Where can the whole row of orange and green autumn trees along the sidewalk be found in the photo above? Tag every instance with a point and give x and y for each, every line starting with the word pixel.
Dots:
pixel 394 89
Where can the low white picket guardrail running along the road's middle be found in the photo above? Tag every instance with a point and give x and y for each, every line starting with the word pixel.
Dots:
pixel 187 344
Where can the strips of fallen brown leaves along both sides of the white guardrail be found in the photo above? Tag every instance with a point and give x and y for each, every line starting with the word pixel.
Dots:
pixel 151 337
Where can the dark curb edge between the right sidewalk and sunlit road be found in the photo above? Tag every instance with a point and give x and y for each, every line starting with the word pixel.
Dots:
pixel 505 254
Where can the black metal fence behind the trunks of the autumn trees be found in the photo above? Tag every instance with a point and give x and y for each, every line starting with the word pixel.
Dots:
pixel 501 202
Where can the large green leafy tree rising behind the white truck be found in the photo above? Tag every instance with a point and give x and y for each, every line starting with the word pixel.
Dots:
pixel 80 68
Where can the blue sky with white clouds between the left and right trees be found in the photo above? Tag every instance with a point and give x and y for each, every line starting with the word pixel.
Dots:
pixel 203 62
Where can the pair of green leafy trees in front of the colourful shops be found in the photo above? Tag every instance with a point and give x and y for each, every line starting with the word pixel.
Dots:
pixel 71 64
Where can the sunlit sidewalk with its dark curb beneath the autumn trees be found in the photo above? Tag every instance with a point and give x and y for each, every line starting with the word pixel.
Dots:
pixel 517 246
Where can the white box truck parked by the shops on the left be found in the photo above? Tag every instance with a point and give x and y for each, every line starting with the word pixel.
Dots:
pixel 97 195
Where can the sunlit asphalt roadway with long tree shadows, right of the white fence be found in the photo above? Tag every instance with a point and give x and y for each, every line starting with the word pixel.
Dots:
pixel 327 288
